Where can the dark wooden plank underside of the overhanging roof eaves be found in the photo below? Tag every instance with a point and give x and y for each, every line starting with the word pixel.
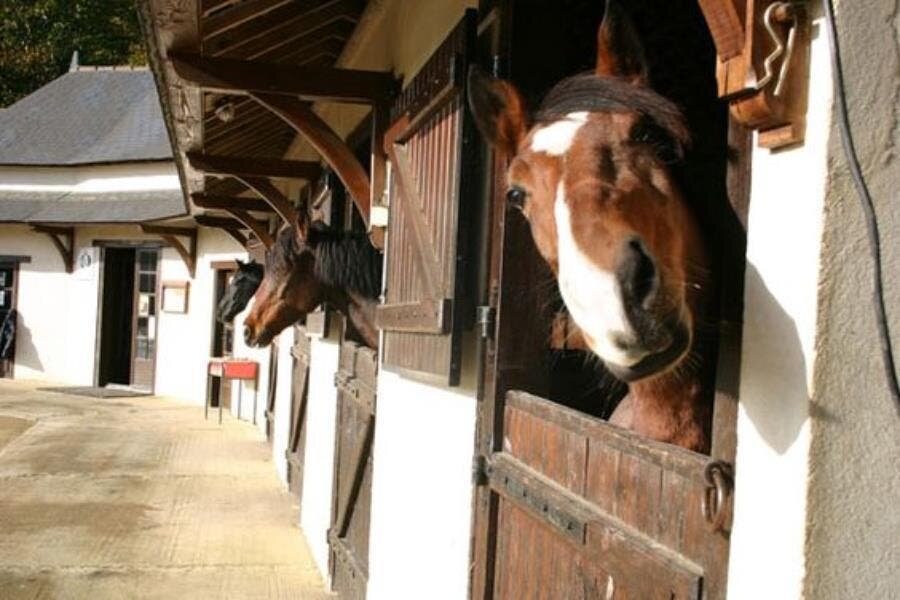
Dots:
pixel 308 34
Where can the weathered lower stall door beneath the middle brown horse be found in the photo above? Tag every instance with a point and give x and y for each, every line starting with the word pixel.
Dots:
pixel 348 537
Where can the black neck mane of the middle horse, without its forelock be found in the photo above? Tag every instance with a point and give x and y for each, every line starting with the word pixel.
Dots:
pixel 349 261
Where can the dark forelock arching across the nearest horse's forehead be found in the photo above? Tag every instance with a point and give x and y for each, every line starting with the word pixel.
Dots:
pixel 588 92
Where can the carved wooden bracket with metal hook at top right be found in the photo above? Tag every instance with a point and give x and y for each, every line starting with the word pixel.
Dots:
pixel 763 68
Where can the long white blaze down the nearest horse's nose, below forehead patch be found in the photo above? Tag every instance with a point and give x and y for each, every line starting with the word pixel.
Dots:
pixel 590 293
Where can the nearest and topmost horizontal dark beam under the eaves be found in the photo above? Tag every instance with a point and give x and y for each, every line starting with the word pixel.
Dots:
pixel 315 83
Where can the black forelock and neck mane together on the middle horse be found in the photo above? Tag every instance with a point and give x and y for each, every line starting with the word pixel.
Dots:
pixel 345 260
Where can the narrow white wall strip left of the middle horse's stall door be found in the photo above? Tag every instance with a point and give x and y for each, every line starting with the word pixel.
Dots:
pixel 318 453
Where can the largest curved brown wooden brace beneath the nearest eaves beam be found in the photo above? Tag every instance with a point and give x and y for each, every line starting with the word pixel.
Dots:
pixel 327 143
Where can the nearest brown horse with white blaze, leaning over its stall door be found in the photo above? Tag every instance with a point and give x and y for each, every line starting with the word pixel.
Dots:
pixel 591 173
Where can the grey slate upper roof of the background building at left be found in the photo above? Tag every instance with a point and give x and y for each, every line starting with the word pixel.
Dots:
pixel 86 117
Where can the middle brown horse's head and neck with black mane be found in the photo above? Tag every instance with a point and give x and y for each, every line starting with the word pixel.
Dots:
pixel 307 266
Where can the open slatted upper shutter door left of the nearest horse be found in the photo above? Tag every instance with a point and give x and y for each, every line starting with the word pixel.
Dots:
pixel 430 145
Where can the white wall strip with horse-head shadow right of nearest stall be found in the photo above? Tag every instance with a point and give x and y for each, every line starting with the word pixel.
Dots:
pixel 773 429
